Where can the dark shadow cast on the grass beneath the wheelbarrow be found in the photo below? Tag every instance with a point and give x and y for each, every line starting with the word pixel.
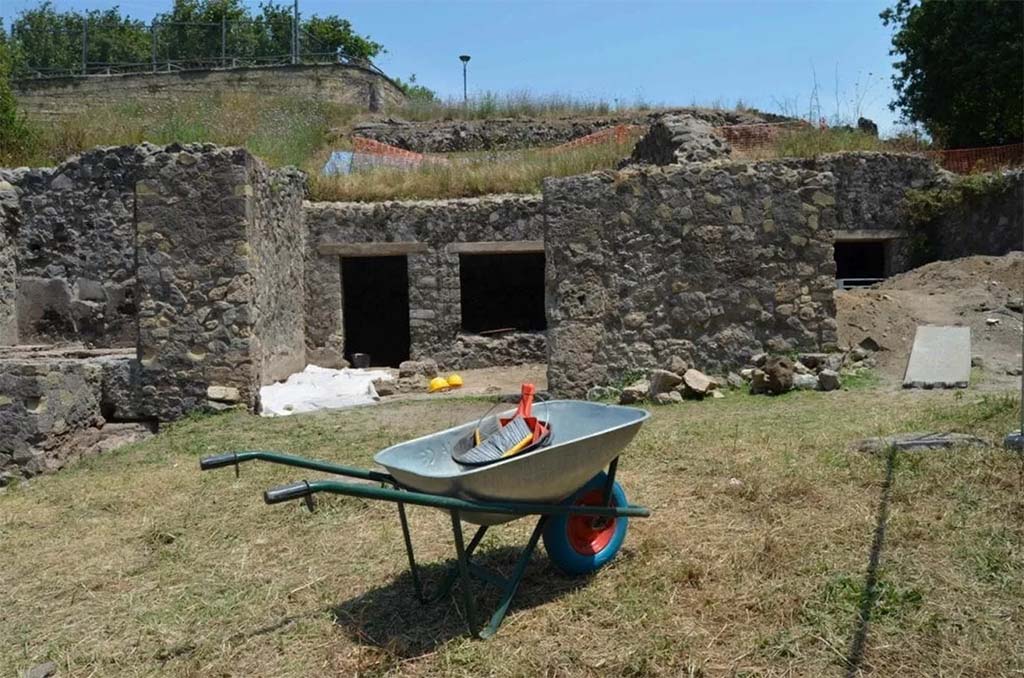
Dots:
pixel 392 618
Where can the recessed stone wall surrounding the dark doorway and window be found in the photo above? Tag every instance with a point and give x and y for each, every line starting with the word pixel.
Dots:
pixel 436 316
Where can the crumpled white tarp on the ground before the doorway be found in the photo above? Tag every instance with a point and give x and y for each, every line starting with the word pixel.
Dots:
pixel 320 389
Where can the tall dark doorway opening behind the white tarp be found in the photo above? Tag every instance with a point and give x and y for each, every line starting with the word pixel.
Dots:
pixel 375 307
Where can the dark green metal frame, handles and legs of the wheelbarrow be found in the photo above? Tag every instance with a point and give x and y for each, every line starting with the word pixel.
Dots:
pixel 391 490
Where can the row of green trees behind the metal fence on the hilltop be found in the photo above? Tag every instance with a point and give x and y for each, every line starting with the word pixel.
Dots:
pixel 200 32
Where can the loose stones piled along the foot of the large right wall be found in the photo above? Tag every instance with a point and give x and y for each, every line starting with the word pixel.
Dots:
pixel 766 374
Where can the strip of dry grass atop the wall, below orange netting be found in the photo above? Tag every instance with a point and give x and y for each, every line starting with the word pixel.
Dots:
pixel 473 175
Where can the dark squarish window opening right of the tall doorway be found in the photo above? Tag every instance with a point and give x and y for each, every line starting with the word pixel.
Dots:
pixel 502 292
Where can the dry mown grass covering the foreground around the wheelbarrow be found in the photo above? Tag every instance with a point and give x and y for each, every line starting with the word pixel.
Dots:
pixel 136 564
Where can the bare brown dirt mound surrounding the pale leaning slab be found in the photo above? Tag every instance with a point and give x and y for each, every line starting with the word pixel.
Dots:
pixel 984 293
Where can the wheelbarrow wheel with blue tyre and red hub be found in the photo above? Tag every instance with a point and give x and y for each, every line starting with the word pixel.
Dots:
pixel 580 544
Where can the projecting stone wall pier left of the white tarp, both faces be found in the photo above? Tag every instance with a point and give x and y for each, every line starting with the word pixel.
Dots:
pixel 201 211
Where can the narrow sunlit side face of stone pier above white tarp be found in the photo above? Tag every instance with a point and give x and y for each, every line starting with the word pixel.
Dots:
pixel 279 241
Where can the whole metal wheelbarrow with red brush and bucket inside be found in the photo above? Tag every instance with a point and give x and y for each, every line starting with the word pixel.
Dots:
pixel 557 475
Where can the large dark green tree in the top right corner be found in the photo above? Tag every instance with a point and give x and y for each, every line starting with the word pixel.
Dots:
pixel 961 72
